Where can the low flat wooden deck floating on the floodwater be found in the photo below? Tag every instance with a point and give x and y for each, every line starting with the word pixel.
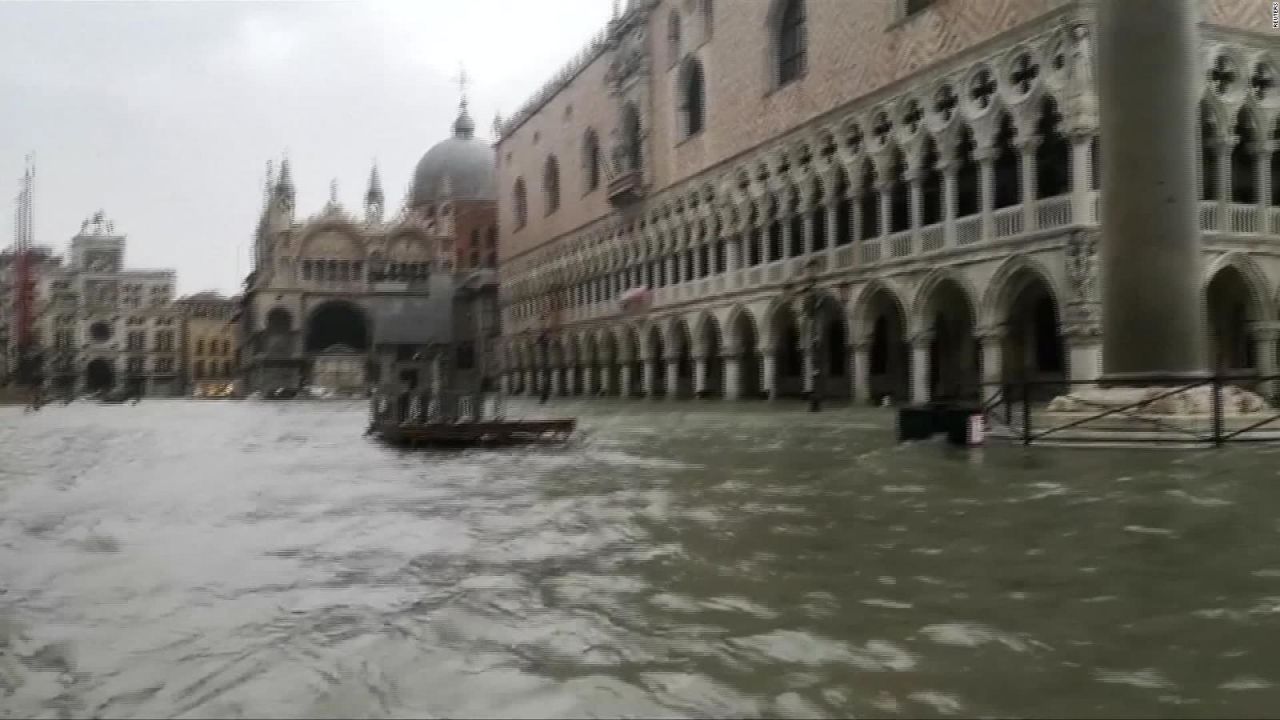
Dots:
pixel 486 434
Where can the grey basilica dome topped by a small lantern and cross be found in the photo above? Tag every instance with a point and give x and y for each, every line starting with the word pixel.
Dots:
pixel 459 168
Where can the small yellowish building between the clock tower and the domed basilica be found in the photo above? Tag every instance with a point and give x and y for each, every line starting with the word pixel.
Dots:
pixel 211 343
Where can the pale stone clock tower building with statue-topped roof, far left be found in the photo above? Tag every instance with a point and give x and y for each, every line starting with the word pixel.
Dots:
pixel 102 326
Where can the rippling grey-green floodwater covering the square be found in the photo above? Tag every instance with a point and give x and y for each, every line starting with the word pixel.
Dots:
pixel 240 559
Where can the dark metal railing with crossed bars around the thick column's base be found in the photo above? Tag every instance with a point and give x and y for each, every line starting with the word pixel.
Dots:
pixel 1014 407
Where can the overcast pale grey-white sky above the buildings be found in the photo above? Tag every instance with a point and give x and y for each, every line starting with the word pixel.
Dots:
pixel 164 115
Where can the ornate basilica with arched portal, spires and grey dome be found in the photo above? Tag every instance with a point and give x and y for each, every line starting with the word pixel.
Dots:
pixel 342 300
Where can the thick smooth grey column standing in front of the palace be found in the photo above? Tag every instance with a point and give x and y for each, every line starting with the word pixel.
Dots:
pixel 1154 326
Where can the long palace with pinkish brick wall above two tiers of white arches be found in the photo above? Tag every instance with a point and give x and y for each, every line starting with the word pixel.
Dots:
pixel 894 199
